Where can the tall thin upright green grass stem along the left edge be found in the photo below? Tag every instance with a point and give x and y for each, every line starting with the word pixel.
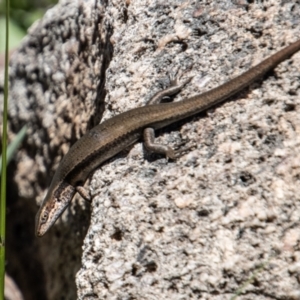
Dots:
pixel 3 175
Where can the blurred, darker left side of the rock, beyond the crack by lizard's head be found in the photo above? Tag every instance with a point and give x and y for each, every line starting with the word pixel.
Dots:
pixel 57 79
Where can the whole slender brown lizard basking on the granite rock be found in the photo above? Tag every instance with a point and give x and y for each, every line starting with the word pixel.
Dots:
pixel 117 133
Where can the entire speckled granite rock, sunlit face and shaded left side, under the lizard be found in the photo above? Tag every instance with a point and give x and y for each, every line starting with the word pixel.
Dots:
pixel 198 227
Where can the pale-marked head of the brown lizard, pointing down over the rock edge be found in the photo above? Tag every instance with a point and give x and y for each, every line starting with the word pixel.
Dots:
pixel 56 201
